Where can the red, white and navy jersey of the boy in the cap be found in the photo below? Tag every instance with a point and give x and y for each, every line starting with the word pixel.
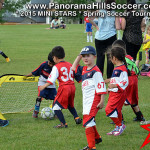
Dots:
pixel 92 85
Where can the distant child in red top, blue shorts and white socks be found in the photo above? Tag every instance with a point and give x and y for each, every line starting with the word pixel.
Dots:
pixel 88 28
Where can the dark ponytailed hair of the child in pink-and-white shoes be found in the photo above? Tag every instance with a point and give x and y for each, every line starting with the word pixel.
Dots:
pixel 120 53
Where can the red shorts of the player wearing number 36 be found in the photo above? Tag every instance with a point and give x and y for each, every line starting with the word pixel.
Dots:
pixel 65 96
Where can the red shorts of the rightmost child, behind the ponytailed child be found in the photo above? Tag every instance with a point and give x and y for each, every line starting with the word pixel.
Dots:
pixel 132 90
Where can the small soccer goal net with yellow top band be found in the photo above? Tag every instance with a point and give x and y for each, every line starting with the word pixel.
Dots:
pixel 18 94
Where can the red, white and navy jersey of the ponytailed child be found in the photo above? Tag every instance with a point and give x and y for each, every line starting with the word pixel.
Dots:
pixel 119 77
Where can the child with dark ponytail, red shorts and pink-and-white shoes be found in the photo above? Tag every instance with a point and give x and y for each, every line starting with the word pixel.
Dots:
pixel 116 88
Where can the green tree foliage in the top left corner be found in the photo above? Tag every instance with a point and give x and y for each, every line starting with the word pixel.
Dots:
pixel 11 6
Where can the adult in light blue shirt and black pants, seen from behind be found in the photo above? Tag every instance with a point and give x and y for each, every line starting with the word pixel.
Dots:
pixel 106 34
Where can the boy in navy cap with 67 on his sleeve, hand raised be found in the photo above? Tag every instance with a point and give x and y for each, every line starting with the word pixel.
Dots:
pixel 93 89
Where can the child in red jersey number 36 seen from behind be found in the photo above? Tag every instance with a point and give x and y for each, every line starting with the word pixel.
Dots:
pixel 64 99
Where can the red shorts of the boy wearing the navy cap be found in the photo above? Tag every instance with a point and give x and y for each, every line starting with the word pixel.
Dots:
pixel 88 118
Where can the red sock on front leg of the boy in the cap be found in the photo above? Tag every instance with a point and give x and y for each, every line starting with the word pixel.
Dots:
pixel 90 135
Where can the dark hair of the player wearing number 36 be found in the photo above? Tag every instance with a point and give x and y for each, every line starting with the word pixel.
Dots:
pixel 59 52
